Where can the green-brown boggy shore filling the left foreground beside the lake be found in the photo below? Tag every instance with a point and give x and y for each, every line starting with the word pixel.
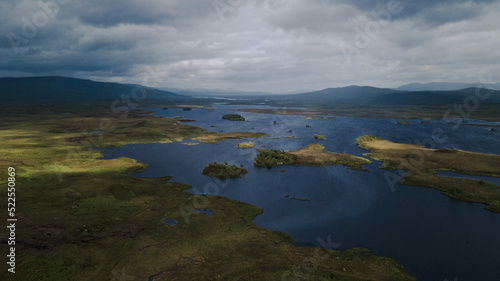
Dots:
pixel 81 218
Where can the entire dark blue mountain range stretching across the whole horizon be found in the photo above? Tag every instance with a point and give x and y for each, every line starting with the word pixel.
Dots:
pixel 65 89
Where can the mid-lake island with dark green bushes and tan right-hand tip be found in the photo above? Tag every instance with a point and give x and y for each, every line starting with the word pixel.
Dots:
pixel 312 155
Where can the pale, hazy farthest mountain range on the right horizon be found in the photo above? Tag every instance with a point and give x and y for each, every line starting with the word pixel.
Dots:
pixel 446 86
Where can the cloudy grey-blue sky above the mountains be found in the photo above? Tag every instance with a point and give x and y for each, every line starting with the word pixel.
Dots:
pixel 276 46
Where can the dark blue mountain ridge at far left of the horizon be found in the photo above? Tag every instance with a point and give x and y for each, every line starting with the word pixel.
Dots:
pixel 64 89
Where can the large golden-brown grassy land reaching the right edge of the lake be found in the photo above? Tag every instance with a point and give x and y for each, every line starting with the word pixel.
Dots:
pixel 421 164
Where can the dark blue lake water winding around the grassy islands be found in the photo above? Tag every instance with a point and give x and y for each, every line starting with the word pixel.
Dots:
pixel 433 236
